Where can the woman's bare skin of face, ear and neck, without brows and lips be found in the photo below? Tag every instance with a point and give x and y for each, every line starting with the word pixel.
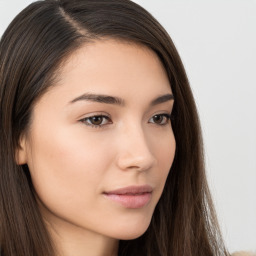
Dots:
pixel 72 162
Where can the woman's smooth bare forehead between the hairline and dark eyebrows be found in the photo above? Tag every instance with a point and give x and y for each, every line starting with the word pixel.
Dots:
pixel 114 68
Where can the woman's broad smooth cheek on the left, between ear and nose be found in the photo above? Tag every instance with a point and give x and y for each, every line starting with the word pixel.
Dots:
pixel 67 168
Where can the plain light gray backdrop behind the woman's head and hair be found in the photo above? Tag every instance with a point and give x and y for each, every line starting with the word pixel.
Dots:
pixel 217 42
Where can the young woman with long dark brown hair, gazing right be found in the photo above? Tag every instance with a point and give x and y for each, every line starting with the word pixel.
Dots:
pixel 101 149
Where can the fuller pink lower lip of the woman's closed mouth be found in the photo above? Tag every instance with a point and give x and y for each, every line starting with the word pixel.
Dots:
pixel 130 201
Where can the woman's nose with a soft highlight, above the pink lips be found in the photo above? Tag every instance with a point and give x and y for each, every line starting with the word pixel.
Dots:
pixel 134 150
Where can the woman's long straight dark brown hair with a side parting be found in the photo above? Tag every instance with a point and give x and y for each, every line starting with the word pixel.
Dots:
pixel 32 50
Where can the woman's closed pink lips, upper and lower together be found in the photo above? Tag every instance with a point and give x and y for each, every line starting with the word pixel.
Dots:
pixel 132 197
